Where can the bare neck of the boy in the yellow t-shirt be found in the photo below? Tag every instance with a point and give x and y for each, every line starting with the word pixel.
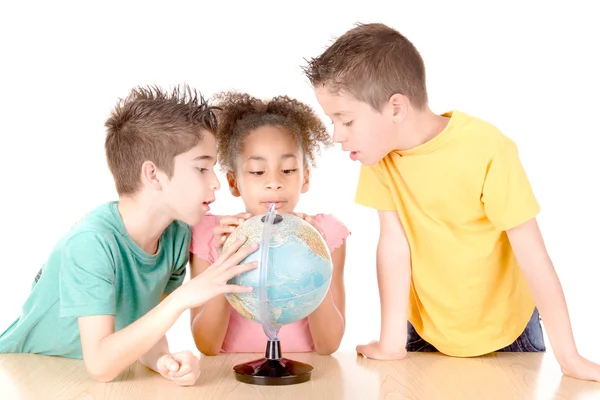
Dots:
pixel 420 127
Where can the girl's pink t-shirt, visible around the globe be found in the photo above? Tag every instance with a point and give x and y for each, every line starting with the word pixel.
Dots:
pixel 244 335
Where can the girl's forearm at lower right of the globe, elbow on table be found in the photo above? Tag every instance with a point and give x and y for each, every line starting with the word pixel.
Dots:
pixel 326 326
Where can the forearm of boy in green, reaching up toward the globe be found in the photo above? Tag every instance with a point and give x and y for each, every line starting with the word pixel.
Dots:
pixel 119 350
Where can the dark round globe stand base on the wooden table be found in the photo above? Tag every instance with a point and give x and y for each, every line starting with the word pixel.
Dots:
pixel 273 369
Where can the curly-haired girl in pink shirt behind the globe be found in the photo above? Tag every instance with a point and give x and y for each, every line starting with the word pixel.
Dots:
pixel 266 150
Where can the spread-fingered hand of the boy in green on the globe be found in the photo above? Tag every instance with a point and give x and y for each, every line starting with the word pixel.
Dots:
pixel 213 281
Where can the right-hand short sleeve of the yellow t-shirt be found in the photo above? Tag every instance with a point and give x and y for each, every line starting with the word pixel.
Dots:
pixel 507 194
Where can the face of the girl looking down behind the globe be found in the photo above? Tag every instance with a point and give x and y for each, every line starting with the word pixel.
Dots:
pixel 270 169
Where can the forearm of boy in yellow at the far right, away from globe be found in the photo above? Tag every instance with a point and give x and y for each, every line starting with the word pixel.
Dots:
pixel 549 298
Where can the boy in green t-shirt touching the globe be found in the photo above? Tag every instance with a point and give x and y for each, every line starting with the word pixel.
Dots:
pixel 112 286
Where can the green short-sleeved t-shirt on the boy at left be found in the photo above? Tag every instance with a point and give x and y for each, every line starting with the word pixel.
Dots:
pixel 96 269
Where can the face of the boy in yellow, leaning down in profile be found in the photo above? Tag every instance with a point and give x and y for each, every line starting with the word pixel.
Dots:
pixel 367 134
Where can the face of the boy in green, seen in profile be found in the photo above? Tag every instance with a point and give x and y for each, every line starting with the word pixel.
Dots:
pixel 192 187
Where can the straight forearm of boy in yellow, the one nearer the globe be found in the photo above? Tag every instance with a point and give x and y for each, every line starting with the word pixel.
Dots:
pixel 393 276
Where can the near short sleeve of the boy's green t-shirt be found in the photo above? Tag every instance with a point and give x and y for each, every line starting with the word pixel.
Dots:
pixel 87 276
